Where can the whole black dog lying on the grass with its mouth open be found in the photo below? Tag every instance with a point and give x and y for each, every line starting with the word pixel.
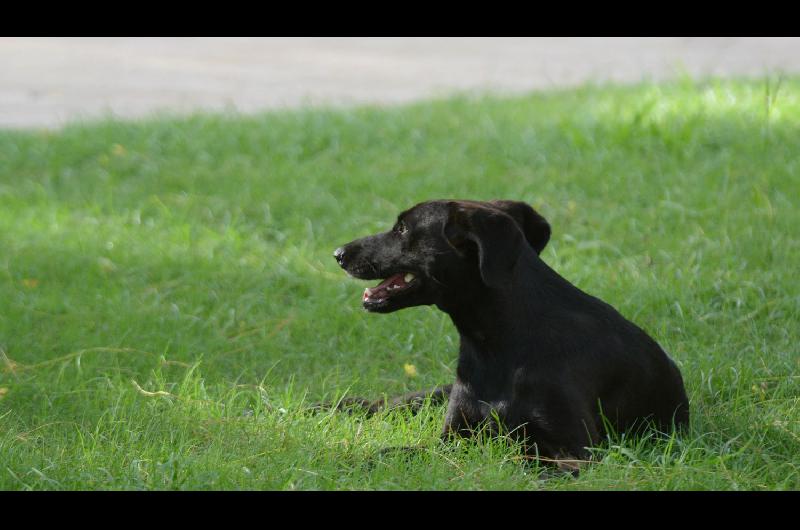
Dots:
pixel 553 364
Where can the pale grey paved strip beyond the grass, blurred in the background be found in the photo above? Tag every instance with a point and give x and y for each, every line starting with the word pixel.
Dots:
pixel 47 81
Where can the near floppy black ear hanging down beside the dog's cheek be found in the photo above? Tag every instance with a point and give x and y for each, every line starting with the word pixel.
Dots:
pixel 496 234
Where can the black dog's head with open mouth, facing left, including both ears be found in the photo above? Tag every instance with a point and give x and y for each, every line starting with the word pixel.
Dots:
pixel 439 250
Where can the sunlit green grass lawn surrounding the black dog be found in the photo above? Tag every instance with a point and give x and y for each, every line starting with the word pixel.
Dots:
pixel 169 303
